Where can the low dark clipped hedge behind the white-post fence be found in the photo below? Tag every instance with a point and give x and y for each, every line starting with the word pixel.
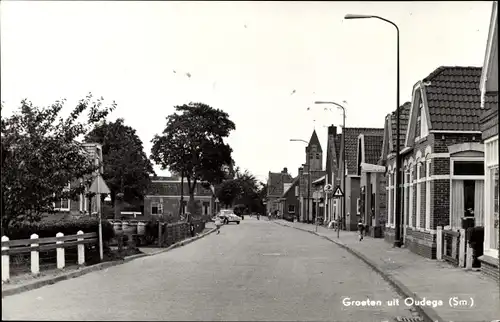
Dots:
pixel 67 227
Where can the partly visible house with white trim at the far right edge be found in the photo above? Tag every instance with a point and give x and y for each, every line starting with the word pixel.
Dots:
pixel 489 129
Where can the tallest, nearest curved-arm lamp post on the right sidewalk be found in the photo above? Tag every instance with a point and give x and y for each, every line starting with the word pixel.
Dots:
pixel 397 237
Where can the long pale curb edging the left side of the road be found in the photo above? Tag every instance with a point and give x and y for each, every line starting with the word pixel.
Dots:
pixel 93 268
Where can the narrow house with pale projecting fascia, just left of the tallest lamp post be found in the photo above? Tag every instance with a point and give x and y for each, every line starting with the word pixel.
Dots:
pixel 371 182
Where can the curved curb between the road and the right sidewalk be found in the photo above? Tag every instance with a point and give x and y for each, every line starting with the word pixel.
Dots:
pixel 428 314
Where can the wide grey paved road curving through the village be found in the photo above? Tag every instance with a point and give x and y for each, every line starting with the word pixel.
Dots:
pixel 253 271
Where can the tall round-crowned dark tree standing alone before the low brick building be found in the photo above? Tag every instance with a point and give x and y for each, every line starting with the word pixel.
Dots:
pixel 192 144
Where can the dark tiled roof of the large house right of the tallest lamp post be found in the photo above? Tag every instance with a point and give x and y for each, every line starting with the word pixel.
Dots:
pixel 453 98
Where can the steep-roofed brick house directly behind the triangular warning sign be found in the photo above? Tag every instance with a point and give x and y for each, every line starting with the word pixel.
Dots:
pixel 352 178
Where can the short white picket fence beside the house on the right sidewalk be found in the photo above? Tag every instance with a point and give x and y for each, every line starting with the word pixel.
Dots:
pixel 453 247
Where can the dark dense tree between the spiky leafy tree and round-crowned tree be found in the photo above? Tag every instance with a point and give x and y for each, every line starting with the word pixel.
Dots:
pixel 127 168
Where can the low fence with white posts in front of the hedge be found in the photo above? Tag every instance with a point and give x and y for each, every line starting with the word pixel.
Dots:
pixel 35 245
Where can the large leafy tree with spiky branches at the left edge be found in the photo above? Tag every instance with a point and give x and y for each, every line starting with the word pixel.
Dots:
pixel 44 156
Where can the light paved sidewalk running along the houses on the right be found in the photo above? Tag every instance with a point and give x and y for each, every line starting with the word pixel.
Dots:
pixel 425 278
